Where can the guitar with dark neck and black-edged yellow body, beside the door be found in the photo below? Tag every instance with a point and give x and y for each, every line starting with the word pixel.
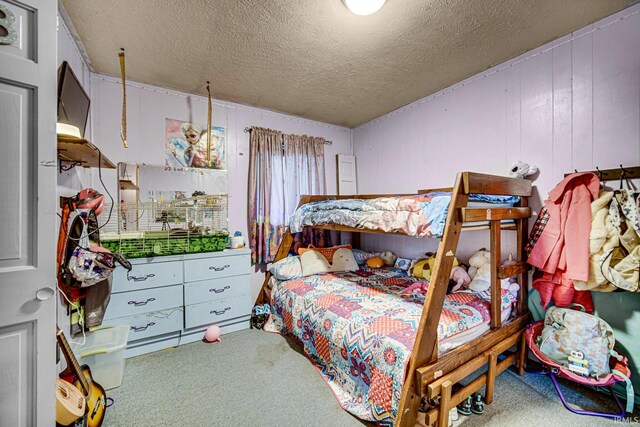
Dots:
pixel 81 377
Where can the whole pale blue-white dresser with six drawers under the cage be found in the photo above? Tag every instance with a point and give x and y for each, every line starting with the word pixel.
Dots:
pixel 171 300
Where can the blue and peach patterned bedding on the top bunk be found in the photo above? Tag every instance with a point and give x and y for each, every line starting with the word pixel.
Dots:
pixel 422 215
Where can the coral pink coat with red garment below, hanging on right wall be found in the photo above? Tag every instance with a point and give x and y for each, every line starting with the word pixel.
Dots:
pixel 562 250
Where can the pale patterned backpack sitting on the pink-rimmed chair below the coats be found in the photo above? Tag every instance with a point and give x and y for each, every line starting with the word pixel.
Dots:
pixel 569 332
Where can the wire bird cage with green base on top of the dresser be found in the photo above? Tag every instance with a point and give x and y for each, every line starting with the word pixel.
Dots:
pixel 167 227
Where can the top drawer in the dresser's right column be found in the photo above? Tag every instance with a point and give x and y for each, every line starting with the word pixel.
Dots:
pixel 215 267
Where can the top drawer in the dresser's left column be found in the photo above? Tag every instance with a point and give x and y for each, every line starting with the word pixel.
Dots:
pixel 144 276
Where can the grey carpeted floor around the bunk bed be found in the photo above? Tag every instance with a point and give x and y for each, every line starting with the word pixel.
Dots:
pixel 254 378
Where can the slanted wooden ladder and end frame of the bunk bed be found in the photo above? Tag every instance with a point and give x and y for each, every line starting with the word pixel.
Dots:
pixel 425 350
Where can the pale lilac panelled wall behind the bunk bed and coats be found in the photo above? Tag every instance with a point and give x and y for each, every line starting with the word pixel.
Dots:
pixel 571 104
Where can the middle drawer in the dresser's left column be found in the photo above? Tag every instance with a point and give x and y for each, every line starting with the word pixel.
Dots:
pixel 136 302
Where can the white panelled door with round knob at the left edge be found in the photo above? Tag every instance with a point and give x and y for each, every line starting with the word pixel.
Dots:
pixel 27 212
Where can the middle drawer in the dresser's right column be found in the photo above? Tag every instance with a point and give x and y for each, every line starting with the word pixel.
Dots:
pixel 215 289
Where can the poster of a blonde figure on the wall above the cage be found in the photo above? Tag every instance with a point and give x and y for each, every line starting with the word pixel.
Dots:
pixel 186 145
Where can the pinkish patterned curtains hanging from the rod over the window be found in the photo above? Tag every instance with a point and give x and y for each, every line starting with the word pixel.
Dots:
pixel 281 169
